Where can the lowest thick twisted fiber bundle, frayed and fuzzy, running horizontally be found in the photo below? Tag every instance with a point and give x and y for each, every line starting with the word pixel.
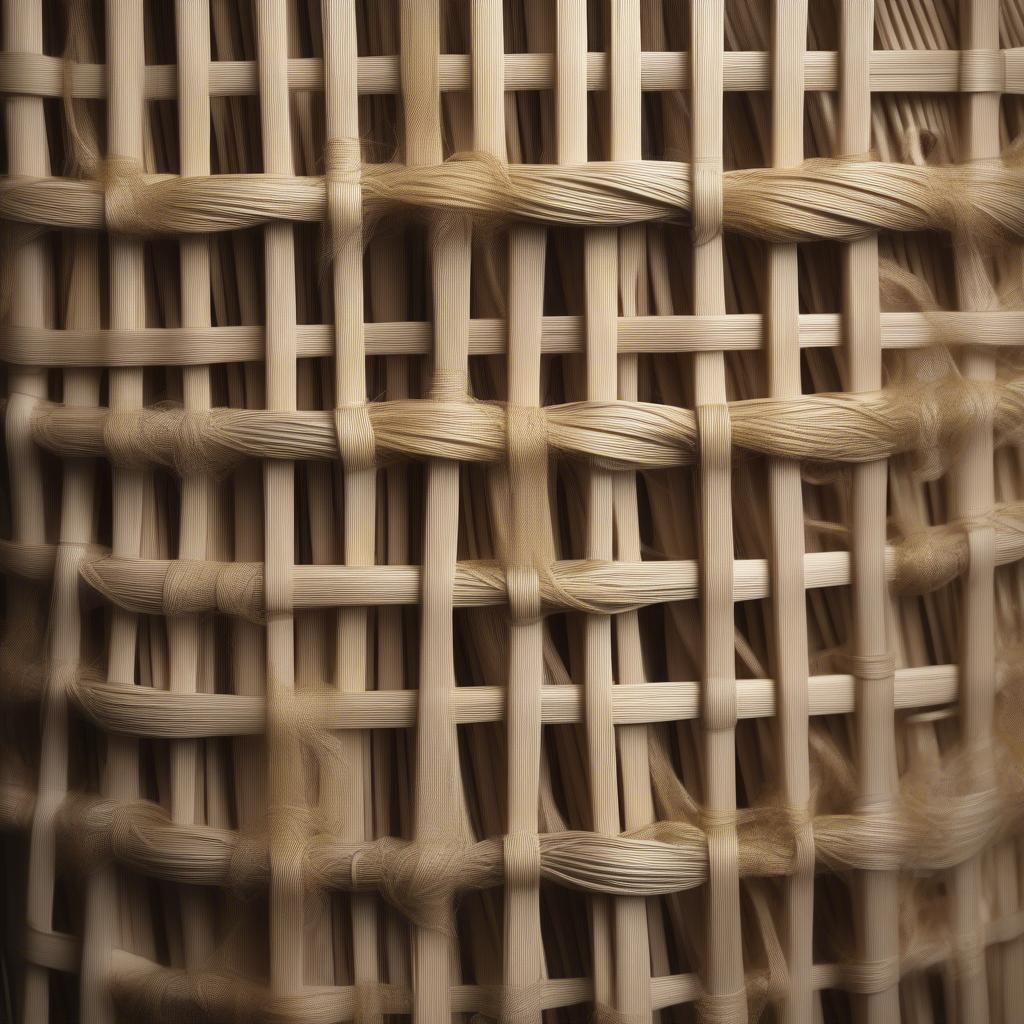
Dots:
pixel 936 823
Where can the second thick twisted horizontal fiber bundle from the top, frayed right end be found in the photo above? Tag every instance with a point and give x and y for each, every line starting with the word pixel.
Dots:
pixel 933 416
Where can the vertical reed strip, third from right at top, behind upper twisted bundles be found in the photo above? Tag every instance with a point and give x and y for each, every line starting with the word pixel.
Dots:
pixel 787 505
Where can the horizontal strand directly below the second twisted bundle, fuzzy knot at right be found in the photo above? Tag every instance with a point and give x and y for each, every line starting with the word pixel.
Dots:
pixel 920 564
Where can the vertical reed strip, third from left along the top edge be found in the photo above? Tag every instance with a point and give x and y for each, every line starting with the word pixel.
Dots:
pixel 186 638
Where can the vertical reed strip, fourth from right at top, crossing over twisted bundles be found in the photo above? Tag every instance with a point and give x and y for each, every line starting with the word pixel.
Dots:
pixel 724 959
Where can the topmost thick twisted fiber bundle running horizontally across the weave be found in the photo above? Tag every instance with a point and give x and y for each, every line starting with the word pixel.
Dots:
pixel 822 199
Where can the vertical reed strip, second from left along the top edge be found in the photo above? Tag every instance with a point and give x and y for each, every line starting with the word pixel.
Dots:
pixel 105 919
